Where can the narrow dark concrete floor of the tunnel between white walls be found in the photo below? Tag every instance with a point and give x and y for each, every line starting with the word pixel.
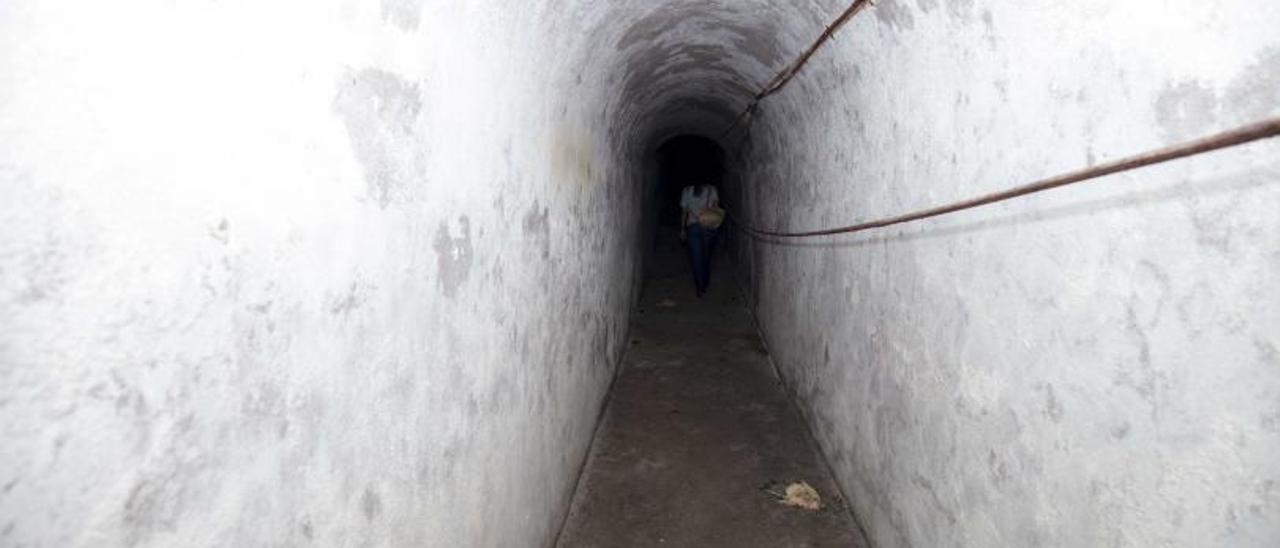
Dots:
pixel 698 431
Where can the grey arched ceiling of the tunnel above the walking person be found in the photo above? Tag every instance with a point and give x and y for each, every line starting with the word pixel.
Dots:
pixel 691 67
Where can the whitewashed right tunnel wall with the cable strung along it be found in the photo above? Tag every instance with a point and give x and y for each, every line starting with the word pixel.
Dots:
pixel 1092 367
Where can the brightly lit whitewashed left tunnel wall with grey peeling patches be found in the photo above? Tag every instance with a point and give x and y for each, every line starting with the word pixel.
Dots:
pixel 303 272
